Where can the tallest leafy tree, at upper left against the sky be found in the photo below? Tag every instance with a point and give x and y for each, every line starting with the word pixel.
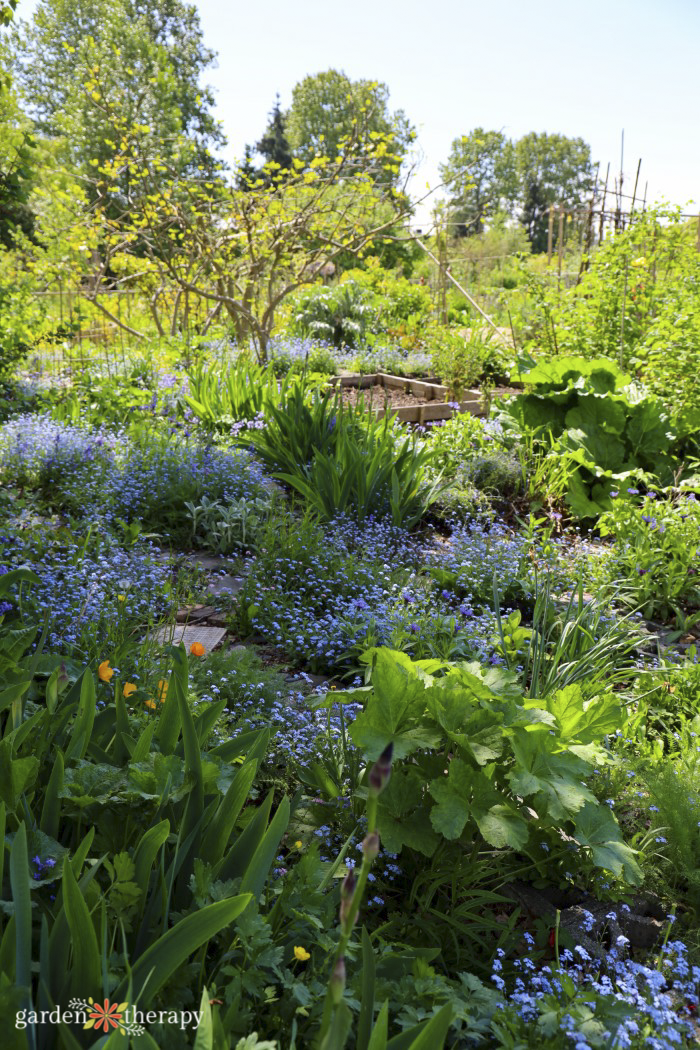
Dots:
pixel 149 57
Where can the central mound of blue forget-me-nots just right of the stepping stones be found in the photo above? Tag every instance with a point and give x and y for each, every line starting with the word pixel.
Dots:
pixel 328 595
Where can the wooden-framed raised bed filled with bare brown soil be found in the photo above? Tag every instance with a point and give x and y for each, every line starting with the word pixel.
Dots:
pixel 413 401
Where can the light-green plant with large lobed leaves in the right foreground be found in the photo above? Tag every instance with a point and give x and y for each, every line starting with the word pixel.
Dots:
pixel 501 751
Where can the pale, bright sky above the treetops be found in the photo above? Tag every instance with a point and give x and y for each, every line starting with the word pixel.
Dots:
pixel 579 70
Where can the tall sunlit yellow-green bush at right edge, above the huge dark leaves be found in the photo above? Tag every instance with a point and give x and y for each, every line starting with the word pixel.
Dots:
pixel 638 303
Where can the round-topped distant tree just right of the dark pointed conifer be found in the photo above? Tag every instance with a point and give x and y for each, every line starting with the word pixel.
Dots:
pixel 329 111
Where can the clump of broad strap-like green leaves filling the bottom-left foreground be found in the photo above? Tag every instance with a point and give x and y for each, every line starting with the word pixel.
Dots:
pixel 133 817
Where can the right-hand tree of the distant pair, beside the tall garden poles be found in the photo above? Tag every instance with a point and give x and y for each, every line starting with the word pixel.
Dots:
pixel 551 170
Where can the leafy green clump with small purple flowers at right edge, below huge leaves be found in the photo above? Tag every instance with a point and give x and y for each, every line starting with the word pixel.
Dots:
pixel 654 564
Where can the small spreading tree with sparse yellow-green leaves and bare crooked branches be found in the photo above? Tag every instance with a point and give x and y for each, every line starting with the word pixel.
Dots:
pixel 195 241
